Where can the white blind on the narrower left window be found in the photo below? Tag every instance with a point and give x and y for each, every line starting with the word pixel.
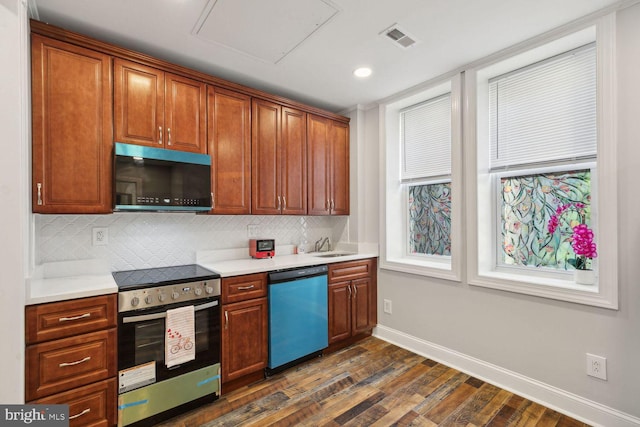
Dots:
pixel 426 139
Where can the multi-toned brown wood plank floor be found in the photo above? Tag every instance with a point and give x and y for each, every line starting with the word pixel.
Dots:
pixel 372 383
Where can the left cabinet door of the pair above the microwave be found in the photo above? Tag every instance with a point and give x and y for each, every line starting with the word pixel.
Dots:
pixel 138 104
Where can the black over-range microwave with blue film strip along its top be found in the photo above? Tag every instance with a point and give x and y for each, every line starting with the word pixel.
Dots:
pixel 158 179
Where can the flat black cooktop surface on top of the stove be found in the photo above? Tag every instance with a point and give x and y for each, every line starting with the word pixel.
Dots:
pixel 149 277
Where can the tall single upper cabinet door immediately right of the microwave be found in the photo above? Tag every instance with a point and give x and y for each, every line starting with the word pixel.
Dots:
pixel 229 143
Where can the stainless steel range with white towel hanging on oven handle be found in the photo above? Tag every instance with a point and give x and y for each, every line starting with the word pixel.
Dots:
pixel 168 342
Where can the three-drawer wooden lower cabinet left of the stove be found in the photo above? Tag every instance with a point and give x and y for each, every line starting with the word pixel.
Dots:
pixel 71 358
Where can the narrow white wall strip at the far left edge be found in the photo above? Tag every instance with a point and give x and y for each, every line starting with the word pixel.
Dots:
pixel 13 191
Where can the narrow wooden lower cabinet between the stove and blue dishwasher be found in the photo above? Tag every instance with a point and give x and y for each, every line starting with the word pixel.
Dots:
pixel 244 330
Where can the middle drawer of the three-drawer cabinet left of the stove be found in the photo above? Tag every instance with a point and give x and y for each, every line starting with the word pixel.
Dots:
pixel 61 365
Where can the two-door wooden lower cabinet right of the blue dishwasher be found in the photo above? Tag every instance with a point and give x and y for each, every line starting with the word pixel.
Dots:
pixel 352 301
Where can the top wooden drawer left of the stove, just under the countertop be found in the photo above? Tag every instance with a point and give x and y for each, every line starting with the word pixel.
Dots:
pixel 55 320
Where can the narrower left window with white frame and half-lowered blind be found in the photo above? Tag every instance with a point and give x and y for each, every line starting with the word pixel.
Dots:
pixel 422 195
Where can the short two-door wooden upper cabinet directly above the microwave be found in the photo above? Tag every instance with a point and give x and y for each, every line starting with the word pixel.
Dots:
pixel 158 109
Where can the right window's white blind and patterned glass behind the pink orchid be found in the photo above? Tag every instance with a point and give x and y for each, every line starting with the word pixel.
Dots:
pixel 541 115
